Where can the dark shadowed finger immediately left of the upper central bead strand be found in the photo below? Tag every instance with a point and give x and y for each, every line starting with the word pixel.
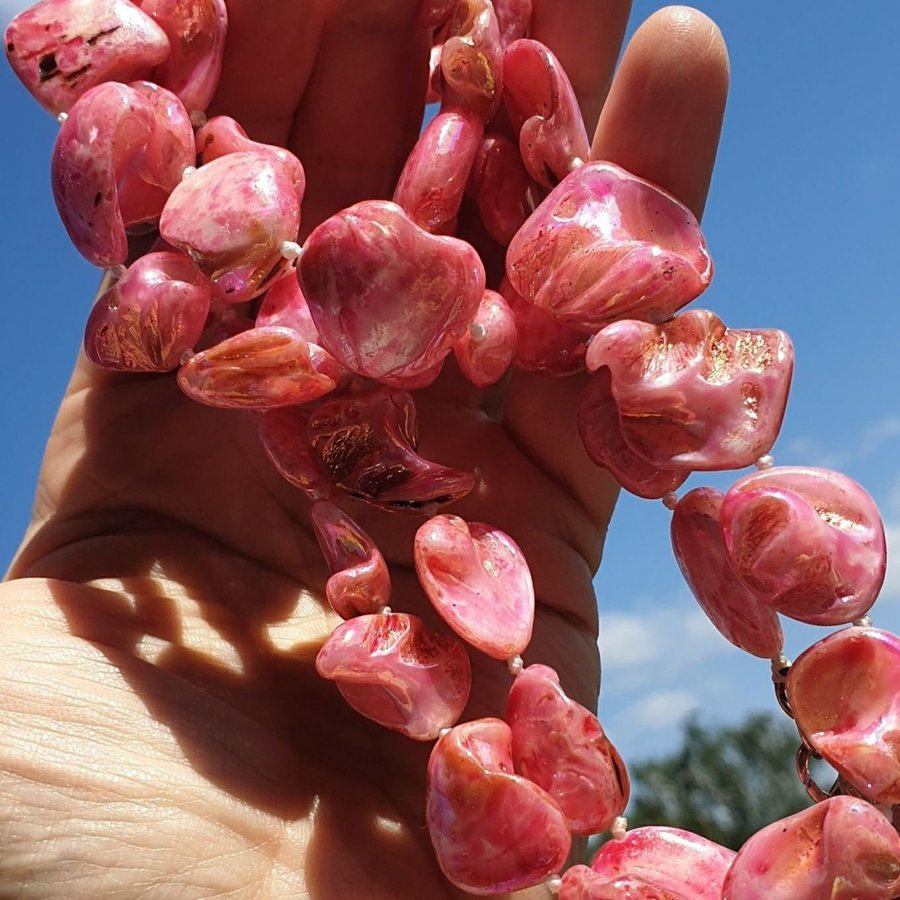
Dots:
pixel 363 105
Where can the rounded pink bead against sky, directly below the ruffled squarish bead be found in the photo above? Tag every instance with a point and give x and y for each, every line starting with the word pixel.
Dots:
pixel 808 542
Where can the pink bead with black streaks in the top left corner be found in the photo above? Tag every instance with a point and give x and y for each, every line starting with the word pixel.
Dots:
pixel 60 49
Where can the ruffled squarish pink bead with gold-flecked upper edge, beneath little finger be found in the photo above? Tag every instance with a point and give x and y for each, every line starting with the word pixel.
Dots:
pixel 694 394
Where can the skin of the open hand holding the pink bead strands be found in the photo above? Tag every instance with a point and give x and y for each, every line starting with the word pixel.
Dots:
pixel 163 729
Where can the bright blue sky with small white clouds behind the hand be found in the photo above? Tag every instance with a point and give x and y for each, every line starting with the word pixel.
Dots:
pixel 802 224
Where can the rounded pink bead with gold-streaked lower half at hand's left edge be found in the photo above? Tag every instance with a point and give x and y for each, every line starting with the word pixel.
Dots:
pixel 150 317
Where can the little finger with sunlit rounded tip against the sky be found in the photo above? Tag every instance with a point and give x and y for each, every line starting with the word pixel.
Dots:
pixel 664 112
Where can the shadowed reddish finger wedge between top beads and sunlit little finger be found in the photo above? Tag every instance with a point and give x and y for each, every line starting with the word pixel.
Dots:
pixel 585 35
